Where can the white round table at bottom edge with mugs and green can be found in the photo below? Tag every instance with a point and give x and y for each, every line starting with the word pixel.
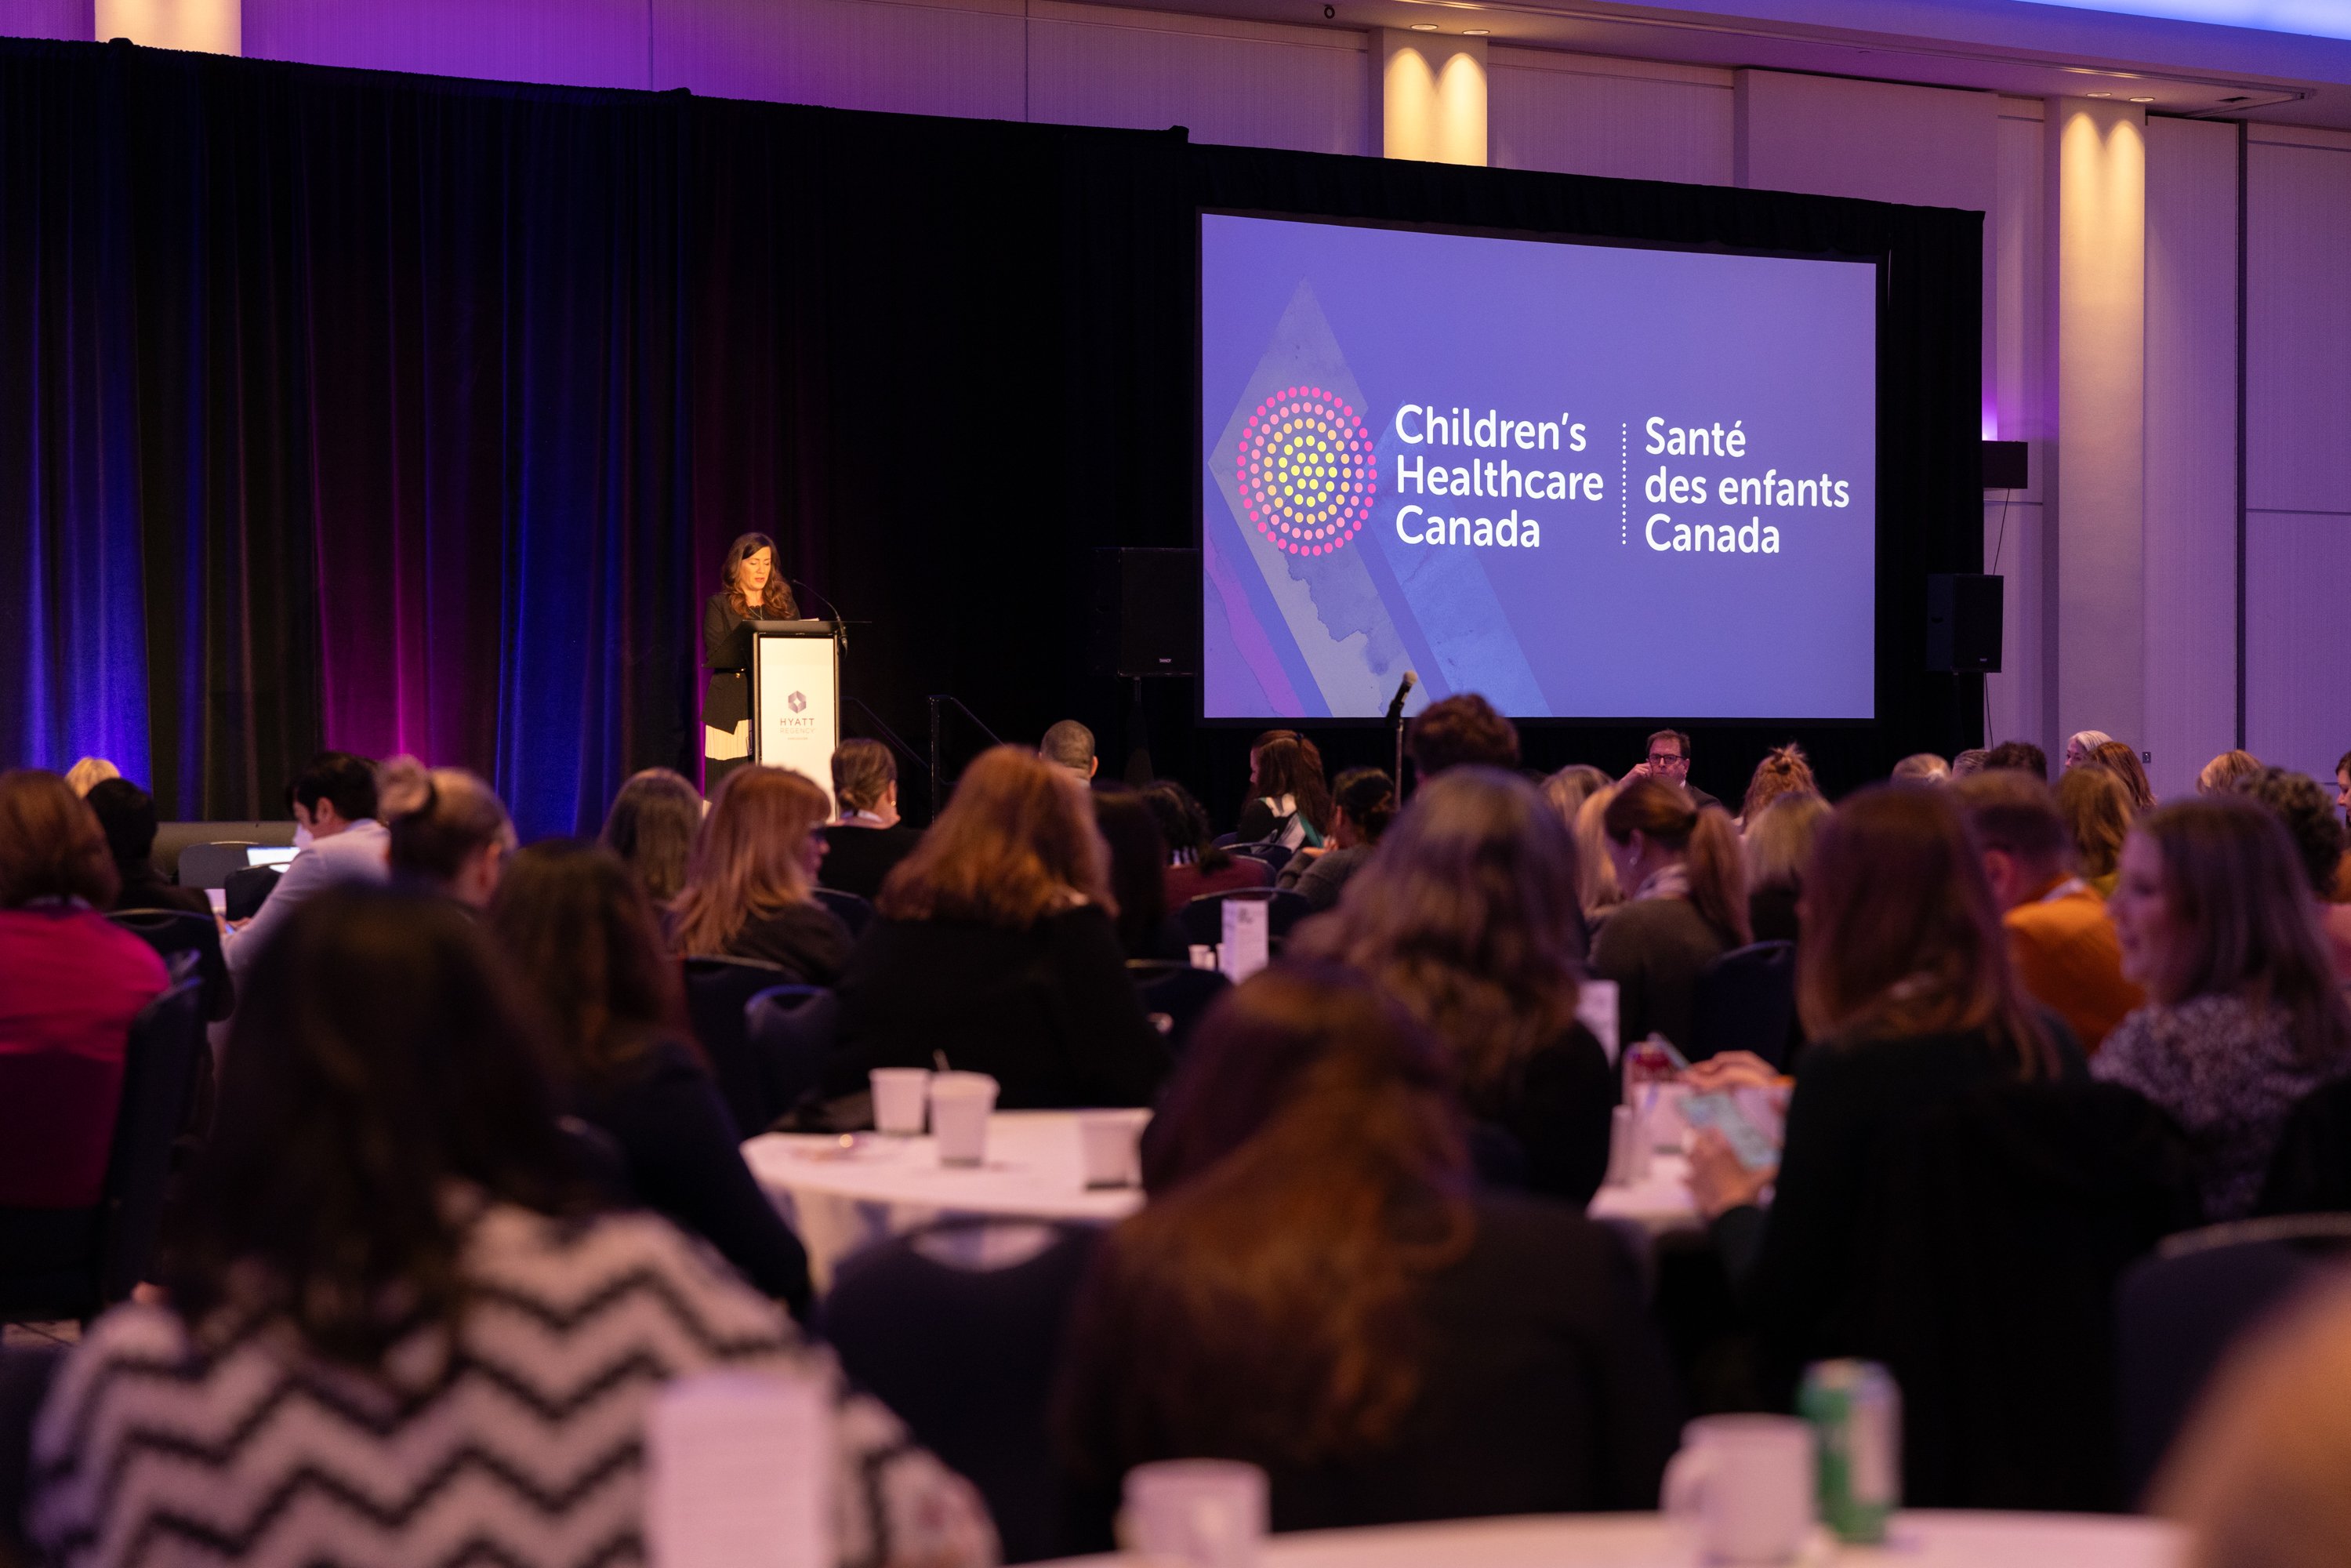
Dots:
pixel 1645 1541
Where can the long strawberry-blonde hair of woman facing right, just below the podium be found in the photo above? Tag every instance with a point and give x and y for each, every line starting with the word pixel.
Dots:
pixel 746 857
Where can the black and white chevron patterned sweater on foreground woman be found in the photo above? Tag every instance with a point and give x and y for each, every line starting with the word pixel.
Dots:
pixel 516 1445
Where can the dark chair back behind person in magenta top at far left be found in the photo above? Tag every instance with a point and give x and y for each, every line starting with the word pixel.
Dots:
pixel 159 1090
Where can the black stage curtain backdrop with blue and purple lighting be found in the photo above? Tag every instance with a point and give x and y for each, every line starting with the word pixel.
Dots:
pixel 448 398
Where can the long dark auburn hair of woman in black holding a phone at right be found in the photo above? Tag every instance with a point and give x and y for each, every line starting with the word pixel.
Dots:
pixel 1901 934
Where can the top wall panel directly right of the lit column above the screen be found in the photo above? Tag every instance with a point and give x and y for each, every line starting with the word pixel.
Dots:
pixel 1574 114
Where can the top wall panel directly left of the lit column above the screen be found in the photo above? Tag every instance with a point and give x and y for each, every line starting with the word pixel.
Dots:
pixel 1238 83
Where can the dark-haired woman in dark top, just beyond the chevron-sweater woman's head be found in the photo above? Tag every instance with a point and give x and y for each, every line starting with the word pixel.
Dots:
pixel 582 939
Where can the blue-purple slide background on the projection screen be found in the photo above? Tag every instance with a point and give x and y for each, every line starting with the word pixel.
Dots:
pixel 1593 624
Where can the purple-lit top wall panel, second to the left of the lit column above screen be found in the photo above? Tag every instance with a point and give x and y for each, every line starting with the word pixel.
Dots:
pixel 918 60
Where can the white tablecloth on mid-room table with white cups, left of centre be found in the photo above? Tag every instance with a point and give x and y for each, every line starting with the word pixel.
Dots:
pixel 862 1188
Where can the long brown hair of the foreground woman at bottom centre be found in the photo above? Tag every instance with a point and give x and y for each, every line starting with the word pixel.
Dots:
pixel 1306 1174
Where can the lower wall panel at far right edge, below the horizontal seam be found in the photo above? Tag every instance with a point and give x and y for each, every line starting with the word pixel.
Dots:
pixel 2298 582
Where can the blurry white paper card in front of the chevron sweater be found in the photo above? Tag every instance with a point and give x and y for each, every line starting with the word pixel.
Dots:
pixel 739 1473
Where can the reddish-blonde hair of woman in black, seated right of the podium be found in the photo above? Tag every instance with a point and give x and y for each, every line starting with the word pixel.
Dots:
pixel 1014 845
